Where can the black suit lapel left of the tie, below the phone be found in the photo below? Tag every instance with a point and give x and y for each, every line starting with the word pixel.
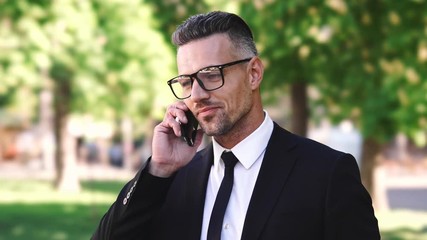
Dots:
pixel 197 178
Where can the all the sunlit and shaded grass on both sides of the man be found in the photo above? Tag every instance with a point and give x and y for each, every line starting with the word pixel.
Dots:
pixel 34 210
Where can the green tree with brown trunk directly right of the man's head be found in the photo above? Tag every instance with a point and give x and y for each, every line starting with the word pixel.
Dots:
pixel 298 40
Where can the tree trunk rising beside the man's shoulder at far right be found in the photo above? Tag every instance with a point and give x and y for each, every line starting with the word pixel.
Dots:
pixel 371 150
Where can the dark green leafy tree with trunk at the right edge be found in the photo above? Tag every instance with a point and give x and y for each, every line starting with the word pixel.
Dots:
pixel 384 76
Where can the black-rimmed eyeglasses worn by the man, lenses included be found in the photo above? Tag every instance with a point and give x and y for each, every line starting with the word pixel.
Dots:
pixel 209 78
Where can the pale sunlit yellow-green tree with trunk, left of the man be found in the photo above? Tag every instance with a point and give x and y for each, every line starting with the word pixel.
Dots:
pixel 97 57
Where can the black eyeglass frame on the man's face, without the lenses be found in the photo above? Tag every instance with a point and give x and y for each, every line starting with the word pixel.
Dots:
pixel 194 76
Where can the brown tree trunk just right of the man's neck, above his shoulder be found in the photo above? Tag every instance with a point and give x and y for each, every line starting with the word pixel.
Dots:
pixel 299 102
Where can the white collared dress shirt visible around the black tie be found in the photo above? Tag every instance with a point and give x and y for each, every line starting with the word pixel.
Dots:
pixel 250 152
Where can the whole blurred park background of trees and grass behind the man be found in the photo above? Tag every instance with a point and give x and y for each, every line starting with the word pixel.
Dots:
pixel 82 83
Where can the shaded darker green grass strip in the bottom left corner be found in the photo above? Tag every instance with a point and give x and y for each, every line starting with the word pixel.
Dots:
pixel 49 221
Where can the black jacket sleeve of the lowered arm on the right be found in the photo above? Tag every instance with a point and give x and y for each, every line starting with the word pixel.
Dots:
pixel 349 212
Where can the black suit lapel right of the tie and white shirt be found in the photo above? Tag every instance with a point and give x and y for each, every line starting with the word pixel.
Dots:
pixel 275 170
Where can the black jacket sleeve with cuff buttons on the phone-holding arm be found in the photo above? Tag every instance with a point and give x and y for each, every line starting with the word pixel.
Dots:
pixel 138 202
